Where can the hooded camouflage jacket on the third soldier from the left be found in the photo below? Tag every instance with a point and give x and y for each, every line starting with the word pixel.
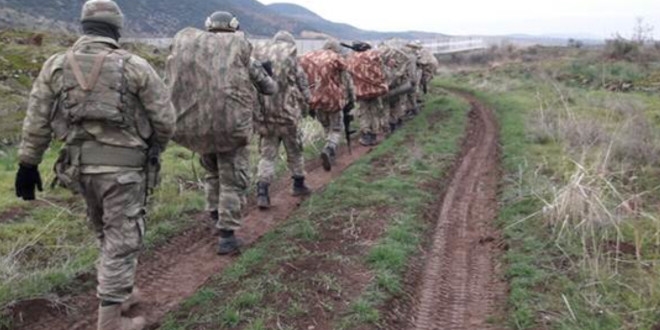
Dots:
pixel 288 105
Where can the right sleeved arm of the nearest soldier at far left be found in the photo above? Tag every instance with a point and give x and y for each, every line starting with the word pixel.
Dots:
pixel 155 98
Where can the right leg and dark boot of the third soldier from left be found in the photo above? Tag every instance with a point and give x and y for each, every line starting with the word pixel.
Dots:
pixel 296 160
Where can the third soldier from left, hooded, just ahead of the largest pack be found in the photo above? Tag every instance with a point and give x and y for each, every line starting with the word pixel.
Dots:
pixel 279 116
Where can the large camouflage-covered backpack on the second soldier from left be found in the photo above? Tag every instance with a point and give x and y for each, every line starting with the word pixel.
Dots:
pixel 209 81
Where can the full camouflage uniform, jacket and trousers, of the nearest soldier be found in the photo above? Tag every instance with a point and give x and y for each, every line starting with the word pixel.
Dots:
pixel 91 161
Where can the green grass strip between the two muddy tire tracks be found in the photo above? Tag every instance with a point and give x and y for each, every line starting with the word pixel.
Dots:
pixel 277 269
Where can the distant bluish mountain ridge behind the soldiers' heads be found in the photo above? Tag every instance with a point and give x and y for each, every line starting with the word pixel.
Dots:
pixel 163 18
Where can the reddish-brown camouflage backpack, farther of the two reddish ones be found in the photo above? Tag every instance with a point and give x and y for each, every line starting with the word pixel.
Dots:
pixel 366 68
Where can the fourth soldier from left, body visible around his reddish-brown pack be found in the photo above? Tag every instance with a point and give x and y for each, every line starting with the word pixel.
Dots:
pixel 333 122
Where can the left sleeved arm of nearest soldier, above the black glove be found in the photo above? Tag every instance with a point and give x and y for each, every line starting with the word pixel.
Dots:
pixel 37 131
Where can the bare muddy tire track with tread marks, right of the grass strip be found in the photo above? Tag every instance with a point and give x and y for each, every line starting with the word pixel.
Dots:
pixel 459 287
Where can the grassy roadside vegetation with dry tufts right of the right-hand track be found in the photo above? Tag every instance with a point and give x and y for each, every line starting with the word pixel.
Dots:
pixel 580 208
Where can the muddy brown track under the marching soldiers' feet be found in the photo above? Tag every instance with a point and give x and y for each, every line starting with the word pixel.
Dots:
pixel 178 269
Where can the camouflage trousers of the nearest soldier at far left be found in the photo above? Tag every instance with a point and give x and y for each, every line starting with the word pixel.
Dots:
pixel 115 211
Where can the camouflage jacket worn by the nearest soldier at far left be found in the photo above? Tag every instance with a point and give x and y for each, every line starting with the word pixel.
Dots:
pixel 148 99
